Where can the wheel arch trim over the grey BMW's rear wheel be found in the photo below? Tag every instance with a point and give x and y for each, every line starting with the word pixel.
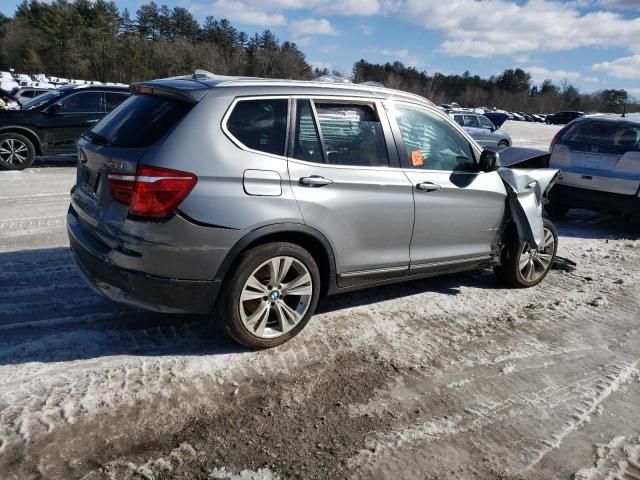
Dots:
pixel 307 237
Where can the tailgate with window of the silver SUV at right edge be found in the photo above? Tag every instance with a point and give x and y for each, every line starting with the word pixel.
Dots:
pixel 600 155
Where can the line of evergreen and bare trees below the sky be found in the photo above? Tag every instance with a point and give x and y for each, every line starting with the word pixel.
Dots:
pixel 94 40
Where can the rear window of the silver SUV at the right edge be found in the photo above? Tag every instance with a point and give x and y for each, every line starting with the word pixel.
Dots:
pixel 603 137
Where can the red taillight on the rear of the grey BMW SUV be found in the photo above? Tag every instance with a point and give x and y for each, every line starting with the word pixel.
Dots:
pixel 152 192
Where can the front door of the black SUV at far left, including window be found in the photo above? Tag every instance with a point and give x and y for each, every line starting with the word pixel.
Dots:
pixel 69 117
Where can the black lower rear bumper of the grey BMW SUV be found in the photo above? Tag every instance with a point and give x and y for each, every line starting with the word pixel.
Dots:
pixel 137 289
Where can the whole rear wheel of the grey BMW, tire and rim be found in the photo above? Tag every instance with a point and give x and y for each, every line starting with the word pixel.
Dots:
pixel 270 296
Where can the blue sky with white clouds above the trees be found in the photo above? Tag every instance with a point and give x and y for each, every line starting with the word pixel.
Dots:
pixel 594 44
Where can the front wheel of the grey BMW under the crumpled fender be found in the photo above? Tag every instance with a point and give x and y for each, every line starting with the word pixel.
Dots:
pixel 523 267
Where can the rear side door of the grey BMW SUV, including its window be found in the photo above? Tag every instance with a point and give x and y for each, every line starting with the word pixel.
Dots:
pixel 340 166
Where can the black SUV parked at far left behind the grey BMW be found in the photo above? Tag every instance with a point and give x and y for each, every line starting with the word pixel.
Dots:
pixel 50 123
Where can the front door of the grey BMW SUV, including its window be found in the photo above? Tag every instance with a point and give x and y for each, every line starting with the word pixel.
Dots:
pixel 458 209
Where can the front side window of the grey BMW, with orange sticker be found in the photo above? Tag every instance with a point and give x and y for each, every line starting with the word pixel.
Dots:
pixel 431 142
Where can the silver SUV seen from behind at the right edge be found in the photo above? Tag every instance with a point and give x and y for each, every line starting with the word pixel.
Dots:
pixel 599 158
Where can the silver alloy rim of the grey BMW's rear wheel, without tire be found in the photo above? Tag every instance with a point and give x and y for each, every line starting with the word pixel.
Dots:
pixel 276 297
